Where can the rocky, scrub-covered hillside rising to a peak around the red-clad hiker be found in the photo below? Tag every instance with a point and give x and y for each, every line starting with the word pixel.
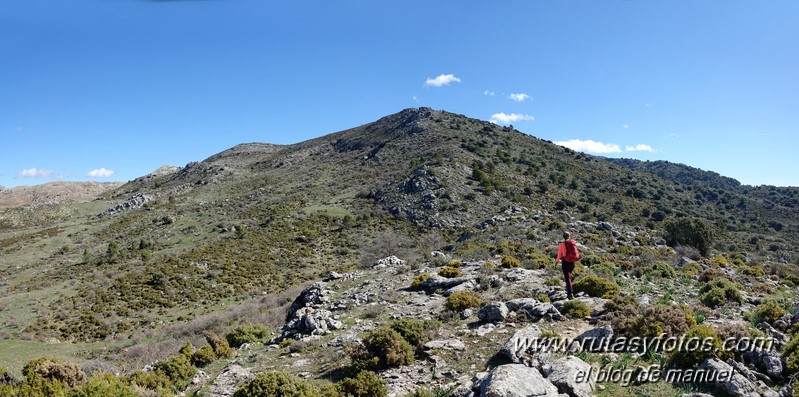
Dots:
pixel 186 253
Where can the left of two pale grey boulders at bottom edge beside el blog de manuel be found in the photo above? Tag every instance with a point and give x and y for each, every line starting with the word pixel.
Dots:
pixel 516 380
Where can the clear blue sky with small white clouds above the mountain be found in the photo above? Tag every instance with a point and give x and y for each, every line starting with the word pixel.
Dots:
pixel 112 89
